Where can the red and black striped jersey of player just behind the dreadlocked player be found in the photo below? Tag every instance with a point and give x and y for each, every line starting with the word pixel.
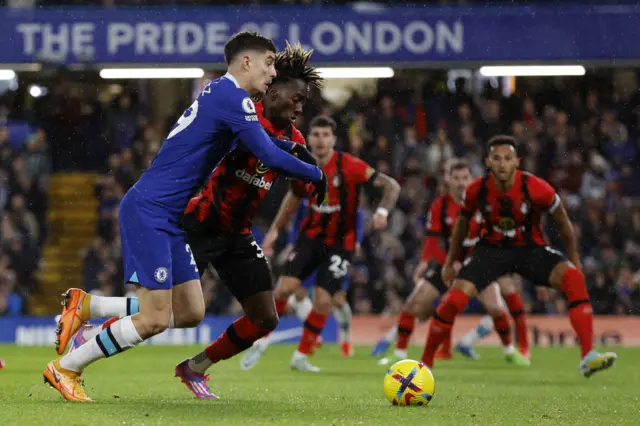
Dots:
pixel 334 222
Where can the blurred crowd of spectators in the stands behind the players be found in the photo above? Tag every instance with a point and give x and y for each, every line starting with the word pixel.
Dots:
pixel 581 134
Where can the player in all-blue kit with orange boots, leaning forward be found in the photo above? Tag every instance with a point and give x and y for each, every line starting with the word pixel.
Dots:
pixel 156 255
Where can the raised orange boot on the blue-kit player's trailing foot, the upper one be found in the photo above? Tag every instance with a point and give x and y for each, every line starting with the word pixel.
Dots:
pixel 74 314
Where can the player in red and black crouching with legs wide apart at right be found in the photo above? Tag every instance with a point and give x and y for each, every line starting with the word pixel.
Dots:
pixel 512 203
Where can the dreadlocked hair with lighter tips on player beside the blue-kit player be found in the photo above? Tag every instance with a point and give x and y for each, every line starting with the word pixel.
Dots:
pixel 291 64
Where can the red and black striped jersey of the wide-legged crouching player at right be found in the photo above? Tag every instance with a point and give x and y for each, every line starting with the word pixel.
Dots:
pixel 512 218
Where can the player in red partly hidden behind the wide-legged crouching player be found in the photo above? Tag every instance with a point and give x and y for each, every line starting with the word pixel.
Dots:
pixel 443 214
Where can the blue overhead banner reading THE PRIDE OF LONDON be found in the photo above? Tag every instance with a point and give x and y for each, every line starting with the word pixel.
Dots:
pixel 403 35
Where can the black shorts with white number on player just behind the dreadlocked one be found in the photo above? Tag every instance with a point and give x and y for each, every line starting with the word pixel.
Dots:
pixel 332 264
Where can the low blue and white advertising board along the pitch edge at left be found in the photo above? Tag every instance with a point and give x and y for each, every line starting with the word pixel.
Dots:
pixel 40 331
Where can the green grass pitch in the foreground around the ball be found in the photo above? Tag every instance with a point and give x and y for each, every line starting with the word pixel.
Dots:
pixel 137 388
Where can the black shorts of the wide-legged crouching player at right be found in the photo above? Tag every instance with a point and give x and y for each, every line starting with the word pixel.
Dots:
pixel 488 263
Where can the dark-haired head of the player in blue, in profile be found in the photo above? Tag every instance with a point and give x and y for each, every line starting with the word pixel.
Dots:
pixel 251 59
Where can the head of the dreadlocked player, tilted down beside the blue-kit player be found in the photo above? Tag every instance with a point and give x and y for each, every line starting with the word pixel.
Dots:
pixel 290 89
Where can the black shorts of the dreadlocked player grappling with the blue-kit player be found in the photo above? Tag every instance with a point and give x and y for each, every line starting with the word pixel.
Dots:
pixel 238 259
